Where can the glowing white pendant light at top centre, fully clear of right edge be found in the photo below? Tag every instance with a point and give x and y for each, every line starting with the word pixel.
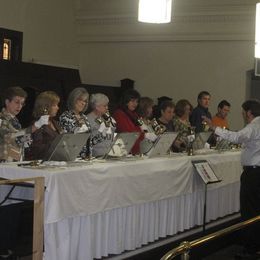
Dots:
pixel 154 11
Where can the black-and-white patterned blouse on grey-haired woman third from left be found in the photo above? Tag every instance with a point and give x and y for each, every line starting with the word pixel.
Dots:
pixel 69 123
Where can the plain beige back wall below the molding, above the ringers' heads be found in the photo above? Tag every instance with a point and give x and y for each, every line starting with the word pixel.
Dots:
pixel 176 69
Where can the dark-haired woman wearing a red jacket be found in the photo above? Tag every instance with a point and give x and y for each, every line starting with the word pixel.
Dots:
pixel 127 118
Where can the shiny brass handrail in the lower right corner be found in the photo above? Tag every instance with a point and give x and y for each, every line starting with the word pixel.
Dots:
pixel 186 246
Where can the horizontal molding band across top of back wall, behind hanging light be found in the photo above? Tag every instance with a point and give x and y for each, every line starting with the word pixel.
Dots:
pixel 198 23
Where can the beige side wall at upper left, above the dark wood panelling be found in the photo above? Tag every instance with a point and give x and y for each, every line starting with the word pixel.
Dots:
pixel 48 29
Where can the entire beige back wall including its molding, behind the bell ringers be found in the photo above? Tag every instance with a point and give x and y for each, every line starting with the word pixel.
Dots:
pixel 207 46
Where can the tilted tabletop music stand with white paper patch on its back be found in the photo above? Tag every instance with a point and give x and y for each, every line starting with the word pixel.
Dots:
pixel 121 145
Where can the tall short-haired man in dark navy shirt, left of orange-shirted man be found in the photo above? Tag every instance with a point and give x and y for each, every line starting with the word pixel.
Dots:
pixel 200 112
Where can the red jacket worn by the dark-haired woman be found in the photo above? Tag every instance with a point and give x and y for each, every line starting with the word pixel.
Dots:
pixel 125 123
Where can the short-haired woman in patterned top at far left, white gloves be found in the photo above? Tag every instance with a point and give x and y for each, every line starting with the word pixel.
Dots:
pixel 12 137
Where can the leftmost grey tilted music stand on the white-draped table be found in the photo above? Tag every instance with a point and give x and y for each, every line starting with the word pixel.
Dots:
pixel 66 147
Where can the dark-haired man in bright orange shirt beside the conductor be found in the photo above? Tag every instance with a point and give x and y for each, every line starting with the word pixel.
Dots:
pixel 220 119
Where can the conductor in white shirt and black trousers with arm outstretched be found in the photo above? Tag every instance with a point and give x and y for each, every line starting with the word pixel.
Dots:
pixel 249 137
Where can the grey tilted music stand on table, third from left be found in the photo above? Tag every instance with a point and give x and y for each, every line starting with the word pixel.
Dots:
pixel 162 145
